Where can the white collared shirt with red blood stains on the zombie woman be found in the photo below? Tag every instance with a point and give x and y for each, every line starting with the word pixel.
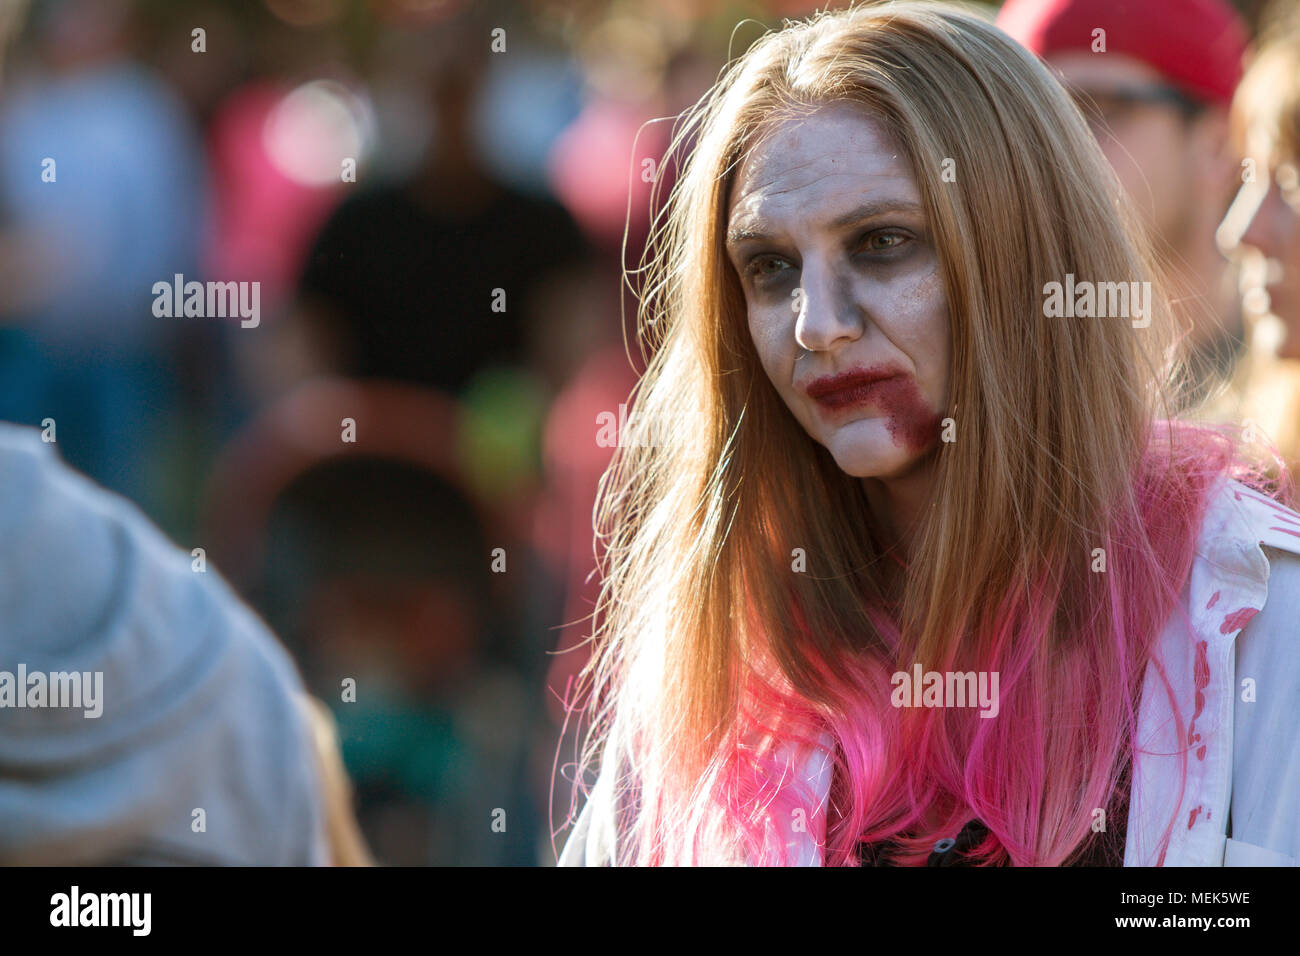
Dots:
pixel 1243 604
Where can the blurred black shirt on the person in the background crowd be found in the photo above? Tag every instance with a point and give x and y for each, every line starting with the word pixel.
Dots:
pixel 406 292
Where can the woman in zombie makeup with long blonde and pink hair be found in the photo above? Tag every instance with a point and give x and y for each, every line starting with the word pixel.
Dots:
pixel 870 471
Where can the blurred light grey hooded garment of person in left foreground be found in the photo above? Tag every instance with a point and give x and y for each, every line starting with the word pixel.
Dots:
pixel 146 715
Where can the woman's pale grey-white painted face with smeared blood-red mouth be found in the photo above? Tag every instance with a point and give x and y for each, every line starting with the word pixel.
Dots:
pixel 843 288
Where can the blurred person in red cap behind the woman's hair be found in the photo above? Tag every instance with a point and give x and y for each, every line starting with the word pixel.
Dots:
pixel 1156 80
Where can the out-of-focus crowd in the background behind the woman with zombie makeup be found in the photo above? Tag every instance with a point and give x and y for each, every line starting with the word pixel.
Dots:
pixel 444 206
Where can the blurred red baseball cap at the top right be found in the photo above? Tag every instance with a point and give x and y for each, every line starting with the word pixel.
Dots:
pixel 1197 45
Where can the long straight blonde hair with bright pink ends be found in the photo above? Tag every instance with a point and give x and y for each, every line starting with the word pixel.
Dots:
pixel 716 654
